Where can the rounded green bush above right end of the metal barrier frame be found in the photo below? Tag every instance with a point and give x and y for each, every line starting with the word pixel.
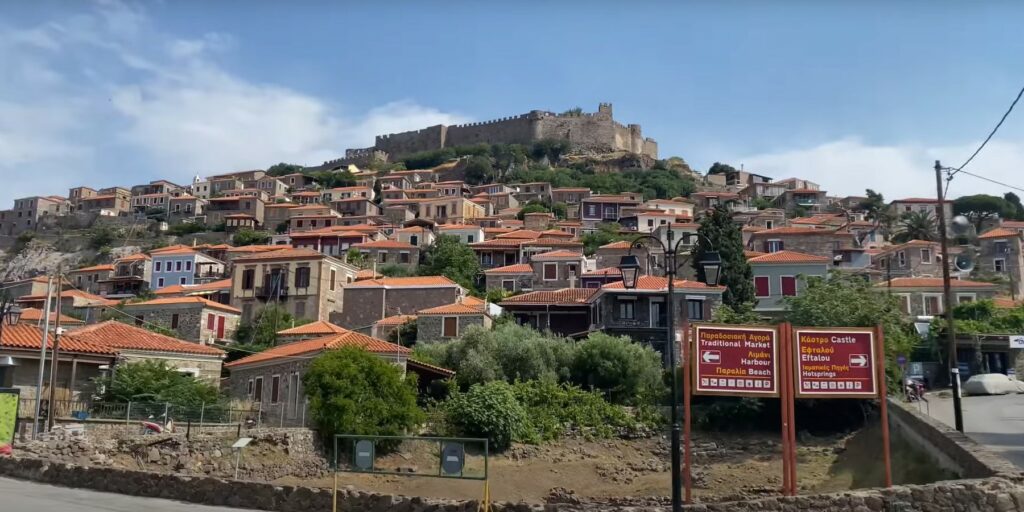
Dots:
pixel 490 411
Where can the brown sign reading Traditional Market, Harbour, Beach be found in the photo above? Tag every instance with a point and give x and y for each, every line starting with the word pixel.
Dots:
pixel 737 361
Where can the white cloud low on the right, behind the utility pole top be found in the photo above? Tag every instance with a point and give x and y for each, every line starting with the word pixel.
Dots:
pixel 848 166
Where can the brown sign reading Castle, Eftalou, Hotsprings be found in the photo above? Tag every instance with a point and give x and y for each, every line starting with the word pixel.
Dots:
pixel 835 363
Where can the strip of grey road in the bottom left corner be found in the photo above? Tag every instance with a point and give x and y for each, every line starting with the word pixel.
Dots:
pixel 19 496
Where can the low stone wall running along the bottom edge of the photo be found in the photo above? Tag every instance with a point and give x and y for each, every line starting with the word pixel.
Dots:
pixel 991 495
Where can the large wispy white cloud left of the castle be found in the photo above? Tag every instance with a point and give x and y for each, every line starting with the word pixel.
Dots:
pixel 120 88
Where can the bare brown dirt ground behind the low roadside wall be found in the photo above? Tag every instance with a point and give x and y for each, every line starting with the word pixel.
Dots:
pixel 726 467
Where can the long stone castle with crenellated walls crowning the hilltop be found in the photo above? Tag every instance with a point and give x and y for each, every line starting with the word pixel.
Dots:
pixel 598 133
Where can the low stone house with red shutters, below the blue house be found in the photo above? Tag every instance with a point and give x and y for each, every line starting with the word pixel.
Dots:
pixel 193 319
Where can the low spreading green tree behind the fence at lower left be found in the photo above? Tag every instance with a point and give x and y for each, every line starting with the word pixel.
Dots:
pixel 155 381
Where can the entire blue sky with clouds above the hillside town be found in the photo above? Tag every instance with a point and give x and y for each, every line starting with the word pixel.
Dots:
pixel 850 95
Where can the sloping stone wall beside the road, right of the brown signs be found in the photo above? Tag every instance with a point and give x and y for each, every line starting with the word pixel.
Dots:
pixel 951 449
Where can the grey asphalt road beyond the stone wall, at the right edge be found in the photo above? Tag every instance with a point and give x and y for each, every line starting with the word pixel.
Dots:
pixel 996 421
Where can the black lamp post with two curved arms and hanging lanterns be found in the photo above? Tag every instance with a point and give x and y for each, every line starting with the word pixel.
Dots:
pixel 630 268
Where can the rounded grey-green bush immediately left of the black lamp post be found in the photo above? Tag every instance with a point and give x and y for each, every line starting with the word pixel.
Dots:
pixel 626 372
